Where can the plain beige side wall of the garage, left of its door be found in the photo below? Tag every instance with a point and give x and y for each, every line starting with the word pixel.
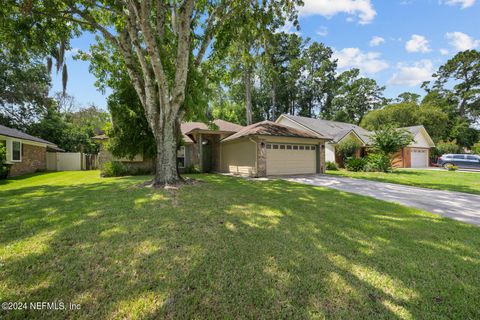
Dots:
pixel 239 157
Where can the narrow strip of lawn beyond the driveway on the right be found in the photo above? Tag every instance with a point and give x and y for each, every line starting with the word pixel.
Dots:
pixel 468 182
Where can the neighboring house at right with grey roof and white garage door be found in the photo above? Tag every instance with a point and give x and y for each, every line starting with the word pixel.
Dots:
pixel 416 155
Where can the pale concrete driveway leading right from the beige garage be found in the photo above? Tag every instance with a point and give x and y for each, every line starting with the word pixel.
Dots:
pixel 456 205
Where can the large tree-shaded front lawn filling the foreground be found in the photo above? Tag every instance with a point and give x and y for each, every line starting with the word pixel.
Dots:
pixel 228 248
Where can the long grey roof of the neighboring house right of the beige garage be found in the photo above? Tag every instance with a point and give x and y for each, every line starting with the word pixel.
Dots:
pixel 334 129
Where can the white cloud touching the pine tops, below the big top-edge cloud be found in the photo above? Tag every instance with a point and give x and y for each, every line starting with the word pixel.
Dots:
pixel 368 62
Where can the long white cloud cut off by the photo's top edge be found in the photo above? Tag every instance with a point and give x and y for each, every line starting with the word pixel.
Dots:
pixel 363 9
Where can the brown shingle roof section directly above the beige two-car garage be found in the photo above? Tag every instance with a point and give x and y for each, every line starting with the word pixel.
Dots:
pixel 269 128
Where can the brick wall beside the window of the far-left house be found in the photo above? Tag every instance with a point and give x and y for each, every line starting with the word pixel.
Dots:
pixel 34 158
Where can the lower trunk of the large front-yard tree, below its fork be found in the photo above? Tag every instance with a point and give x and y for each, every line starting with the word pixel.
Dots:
pixel 166 163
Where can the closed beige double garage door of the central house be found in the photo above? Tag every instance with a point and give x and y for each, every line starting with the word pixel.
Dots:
pixel 291 159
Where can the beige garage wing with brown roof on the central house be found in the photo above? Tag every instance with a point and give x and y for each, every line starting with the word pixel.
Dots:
pixel 267 148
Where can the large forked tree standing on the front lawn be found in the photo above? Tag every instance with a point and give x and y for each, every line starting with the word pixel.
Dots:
pixel 158 42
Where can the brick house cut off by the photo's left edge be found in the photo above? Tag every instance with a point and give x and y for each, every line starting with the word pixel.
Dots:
pixel 25 153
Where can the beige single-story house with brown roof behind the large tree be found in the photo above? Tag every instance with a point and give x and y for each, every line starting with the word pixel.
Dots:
pixel 262 149
